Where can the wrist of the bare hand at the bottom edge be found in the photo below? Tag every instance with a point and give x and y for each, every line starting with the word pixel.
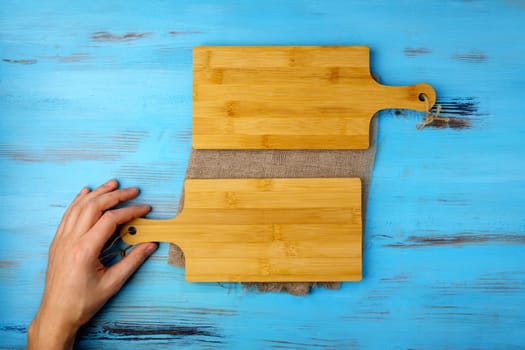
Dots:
pixel 46 333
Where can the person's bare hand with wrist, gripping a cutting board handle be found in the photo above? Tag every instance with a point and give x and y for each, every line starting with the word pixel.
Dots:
pixel 77 284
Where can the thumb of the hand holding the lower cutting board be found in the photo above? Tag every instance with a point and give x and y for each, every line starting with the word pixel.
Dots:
pixel 119 273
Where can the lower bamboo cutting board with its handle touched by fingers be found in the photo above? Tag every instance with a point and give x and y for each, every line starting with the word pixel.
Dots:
pixel 257 230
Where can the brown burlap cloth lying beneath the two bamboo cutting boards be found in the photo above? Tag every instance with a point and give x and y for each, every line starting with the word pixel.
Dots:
pixel 224 164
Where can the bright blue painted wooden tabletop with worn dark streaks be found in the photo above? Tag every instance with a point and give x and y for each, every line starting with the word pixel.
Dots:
pixel 100 89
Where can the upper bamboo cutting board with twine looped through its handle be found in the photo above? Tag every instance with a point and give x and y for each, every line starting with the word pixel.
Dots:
pixel 290 97
